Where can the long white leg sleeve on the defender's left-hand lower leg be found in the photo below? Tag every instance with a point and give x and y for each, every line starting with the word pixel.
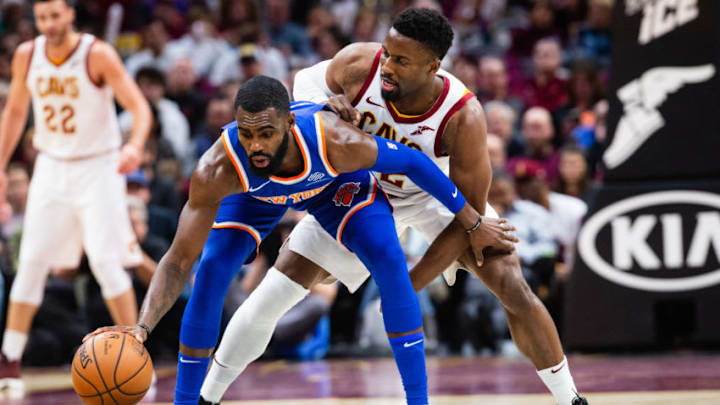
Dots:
pixel 249 331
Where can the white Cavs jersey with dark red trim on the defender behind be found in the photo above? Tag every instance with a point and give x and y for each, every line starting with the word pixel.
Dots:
pixel 423 132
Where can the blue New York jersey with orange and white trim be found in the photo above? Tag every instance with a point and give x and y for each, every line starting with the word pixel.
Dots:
pixel 293 192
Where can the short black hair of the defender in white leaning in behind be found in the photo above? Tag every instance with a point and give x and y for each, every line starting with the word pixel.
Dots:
pixel 426 26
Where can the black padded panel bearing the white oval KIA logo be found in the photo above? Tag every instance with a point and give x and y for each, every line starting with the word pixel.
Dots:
pixel 647 267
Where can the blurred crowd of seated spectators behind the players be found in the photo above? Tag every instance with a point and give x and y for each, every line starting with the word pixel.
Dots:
pixel 539 68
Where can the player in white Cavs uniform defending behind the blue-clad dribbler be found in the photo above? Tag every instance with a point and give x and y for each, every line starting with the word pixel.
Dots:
pixel 399 92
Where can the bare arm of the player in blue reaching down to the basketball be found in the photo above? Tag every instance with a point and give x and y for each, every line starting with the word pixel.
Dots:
pixel 212 180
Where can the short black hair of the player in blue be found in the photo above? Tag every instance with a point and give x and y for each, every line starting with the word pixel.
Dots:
pixel 261 93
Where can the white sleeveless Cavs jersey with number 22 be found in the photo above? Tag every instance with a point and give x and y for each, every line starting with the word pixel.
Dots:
pixel 74 117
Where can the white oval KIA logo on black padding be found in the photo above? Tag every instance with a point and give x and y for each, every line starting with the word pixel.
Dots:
pixel 631 250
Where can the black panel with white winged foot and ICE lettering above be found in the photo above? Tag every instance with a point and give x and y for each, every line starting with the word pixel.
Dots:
pixel 664 117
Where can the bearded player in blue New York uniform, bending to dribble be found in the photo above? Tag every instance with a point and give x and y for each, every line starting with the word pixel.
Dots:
pixel 304 157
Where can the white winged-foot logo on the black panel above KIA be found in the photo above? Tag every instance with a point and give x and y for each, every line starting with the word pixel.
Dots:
pixel 641 99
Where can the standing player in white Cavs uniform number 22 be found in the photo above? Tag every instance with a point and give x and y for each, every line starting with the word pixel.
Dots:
pixel 76 200
